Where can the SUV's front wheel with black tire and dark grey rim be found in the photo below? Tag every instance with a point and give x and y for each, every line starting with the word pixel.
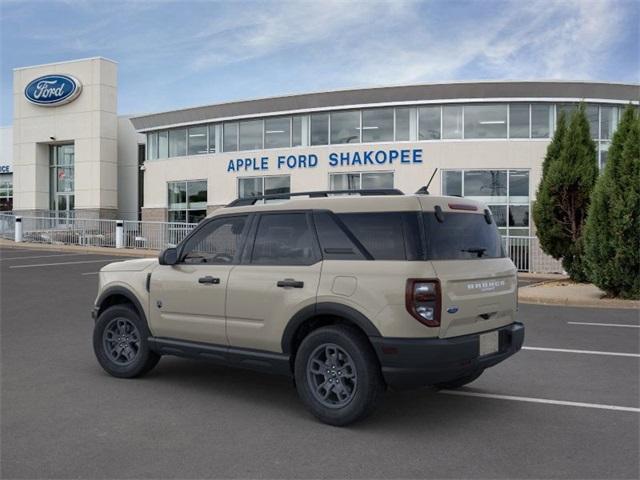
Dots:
pixel 120 343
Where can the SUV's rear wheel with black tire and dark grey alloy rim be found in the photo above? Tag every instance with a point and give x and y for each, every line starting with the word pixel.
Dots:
pixel 337 375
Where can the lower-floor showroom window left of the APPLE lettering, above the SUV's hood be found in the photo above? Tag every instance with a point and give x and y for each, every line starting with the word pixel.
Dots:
pixel 187 201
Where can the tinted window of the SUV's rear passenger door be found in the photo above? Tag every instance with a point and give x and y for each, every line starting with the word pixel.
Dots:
pixel 284 239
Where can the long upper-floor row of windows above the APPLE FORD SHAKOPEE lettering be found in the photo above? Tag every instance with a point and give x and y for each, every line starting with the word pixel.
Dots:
pixel 384 124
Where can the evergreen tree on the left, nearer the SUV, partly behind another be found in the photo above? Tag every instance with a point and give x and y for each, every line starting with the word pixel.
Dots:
pixel 563 198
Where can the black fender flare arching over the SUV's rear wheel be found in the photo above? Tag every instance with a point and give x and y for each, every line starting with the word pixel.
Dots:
pixel 326 308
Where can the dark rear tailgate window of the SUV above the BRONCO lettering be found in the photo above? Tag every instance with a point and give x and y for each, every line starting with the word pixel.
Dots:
pixel 461 236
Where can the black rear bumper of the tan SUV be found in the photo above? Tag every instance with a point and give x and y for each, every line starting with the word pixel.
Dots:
pixel 416 362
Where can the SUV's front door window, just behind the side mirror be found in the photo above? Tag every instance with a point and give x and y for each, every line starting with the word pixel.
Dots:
pixel 218 242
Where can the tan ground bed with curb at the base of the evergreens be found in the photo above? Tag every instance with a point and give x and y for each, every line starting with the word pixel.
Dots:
pixel 561 291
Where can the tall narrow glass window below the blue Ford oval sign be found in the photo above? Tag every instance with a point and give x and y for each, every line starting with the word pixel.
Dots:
pixel 62 179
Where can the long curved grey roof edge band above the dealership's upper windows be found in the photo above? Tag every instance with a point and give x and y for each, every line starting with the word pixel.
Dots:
pixel 392 94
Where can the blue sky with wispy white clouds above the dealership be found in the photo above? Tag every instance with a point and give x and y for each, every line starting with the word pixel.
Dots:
pixel 176 54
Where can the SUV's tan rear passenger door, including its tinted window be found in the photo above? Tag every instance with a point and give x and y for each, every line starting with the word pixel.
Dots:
pixel 279 275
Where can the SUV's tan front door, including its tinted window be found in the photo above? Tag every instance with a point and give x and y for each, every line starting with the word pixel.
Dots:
pixel 187 300
